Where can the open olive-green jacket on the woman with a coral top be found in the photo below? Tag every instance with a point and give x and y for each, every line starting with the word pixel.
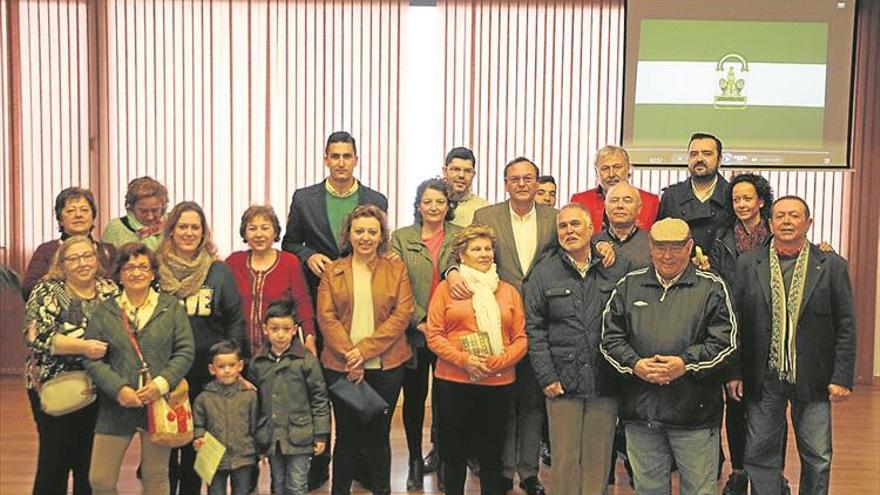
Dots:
pixel 407 243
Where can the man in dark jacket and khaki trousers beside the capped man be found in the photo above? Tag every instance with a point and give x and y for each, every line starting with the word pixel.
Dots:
pixel 564 298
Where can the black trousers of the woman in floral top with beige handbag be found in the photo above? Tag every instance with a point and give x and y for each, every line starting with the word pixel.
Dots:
pixel 65 448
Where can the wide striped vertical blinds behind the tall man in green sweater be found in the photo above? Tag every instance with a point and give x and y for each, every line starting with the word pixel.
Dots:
pixel 229 102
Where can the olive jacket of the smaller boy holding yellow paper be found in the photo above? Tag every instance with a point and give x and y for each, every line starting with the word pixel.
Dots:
pixel 229 412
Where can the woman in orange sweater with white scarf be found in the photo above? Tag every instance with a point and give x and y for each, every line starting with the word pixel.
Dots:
pixel 477 341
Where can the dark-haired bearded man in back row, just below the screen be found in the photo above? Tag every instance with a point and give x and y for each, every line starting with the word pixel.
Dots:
pixel 699 200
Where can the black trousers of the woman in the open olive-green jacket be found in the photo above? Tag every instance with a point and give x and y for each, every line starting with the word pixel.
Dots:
pixel 415 392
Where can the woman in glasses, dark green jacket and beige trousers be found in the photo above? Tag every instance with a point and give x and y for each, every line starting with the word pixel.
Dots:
pixel 159 325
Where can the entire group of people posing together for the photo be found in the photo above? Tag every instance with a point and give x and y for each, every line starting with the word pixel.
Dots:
pixel 628 322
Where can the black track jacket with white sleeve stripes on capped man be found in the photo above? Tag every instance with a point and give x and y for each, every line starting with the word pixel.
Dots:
pixel 693 319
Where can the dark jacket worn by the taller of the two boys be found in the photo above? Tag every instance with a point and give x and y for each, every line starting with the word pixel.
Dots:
pixel 294 409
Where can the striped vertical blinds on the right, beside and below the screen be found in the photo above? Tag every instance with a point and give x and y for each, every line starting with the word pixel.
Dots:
pixel 544 80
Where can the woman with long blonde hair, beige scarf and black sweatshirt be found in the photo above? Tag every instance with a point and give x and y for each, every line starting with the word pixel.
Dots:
pixel 189 270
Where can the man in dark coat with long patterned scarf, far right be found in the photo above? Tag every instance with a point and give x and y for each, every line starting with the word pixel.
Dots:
pixel 795 306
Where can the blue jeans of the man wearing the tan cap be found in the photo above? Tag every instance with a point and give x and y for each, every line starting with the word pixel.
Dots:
pixel 651 450
